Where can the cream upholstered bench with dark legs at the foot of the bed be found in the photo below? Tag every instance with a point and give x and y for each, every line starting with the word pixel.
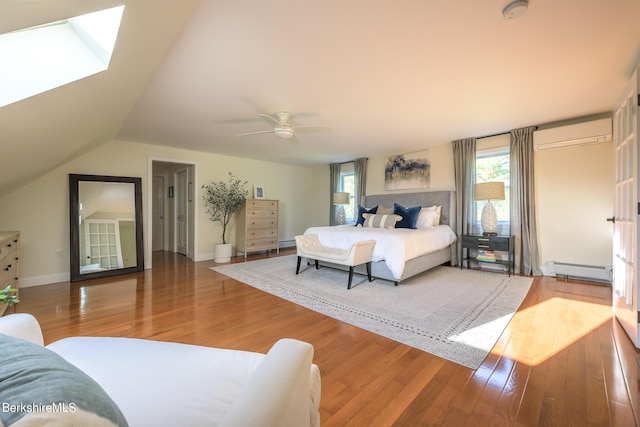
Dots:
pixel 309 246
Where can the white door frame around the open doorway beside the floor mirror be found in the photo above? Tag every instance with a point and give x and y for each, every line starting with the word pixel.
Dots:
pixel 148 231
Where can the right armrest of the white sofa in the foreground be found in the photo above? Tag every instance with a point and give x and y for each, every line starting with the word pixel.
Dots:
pixel 278 392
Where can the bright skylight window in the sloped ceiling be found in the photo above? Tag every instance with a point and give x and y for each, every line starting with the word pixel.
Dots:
pixel 41 58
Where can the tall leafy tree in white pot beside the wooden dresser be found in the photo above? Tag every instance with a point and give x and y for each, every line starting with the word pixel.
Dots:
pixel 221 200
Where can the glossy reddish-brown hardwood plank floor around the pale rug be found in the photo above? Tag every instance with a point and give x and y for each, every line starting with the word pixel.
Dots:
pixel 562 361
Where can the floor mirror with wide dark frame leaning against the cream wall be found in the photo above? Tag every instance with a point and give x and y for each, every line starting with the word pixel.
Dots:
pixel 105 226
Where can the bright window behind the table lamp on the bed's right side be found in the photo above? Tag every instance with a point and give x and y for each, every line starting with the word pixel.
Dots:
pixel 493 165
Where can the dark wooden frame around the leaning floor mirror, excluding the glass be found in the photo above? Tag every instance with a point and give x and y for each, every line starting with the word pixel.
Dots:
pixel 74 226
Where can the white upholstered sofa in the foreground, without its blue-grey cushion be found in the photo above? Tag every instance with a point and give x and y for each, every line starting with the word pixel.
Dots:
pixel 170 384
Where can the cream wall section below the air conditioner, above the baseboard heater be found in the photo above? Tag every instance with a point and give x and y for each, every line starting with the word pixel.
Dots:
pixel 574 196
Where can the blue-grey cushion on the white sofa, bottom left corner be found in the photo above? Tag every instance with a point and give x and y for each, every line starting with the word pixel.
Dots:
pixel 39 386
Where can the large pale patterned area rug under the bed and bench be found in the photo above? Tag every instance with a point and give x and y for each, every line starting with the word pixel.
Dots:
pixel 454 314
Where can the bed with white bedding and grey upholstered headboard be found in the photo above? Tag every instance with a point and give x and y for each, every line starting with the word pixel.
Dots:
pixel 400 253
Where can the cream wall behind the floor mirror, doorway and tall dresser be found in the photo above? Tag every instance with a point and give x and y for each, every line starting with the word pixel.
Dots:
pixel 40 209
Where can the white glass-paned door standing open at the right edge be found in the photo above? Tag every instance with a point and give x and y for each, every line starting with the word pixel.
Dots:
pixel 625 211
